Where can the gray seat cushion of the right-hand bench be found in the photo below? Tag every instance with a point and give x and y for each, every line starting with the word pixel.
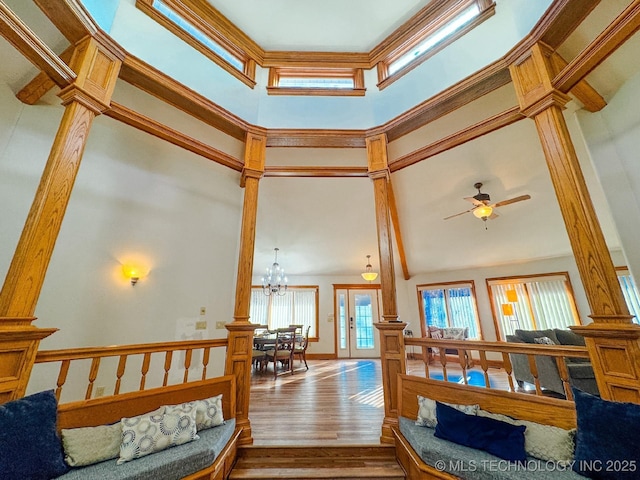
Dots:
pixel 472 464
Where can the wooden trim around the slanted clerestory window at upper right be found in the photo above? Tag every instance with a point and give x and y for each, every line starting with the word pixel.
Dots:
pixel 435 17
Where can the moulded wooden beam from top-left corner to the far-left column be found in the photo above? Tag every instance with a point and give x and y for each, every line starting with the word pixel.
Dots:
pixel 35 50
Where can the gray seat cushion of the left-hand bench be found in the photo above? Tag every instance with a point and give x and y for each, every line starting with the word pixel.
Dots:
pixel 170 464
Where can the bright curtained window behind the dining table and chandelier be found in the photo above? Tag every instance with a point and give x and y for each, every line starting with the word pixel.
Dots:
pixel 298 306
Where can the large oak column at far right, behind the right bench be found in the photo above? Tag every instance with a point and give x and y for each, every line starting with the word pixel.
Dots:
pixel 612 340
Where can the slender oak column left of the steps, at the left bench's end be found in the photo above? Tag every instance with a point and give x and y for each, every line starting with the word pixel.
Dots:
pixel 241 330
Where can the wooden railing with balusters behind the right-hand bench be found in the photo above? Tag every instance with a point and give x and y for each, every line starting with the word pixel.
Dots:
pixel 496 355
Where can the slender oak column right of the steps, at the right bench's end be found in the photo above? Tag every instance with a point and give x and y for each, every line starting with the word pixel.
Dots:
pixel 392 354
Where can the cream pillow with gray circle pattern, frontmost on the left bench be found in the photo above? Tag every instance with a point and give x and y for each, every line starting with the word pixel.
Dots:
pixel 149 433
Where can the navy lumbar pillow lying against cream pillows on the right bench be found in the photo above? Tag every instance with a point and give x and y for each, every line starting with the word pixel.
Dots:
pixel 493 436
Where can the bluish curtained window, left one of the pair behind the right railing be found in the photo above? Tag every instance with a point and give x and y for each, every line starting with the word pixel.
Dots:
pixel 449 305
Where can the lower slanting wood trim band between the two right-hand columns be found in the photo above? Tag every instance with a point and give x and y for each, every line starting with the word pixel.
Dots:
pixel 470 133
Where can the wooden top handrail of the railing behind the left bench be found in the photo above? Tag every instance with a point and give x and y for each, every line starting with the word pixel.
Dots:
pixel 44 356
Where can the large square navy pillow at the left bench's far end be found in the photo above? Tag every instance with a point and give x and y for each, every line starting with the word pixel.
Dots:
pixel 30 448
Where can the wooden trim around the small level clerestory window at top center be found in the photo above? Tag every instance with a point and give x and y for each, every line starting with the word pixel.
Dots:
pixel 276 73
